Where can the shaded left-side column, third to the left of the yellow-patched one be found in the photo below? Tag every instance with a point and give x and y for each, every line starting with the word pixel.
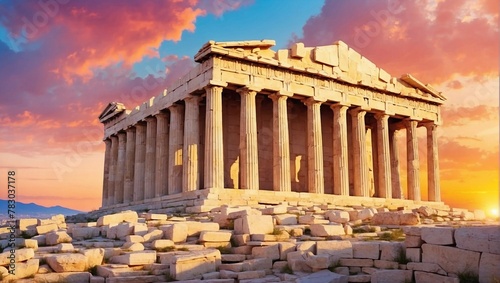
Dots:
pixel 140 158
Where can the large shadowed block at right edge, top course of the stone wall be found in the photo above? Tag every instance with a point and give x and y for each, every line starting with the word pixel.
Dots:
pixel 481 239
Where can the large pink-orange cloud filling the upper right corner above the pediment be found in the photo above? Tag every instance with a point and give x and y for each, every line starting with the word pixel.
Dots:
pixel 432 42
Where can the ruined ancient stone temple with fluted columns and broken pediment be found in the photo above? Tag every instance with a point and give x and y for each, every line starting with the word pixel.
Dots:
pixel 250 125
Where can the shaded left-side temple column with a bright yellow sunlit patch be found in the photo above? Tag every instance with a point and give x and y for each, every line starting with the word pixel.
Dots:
pixel 176 139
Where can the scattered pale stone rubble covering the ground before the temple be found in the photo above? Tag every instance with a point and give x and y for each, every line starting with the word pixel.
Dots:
pixel 281 243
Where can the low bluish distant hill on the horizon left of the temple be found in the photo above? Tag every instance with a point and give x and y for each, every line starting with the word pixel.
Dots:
pixel 26 210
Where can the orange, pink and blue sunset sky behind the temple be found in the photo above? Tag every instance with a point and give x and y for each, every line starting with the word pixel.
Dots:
pixel 62 61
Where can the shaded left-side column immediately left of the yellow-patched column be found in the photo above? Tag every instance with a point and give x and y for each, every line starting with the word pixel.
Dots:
pixel 161 176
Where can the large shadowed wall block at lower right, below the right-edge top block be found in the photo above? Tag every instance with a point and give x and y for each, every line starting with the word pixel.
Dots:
pixel 446 257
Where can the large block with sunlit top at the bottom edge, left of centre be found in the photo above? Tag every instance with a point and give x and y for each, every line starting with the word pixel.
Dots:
pixel 194 265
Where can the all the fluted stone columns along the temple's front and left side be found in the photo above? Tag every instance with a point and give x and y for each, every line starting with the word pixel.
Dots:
pixel 155 157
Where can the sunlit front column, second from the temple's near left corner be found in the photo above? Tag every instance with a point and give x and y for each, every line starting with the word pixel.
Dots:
pixel 249 162
